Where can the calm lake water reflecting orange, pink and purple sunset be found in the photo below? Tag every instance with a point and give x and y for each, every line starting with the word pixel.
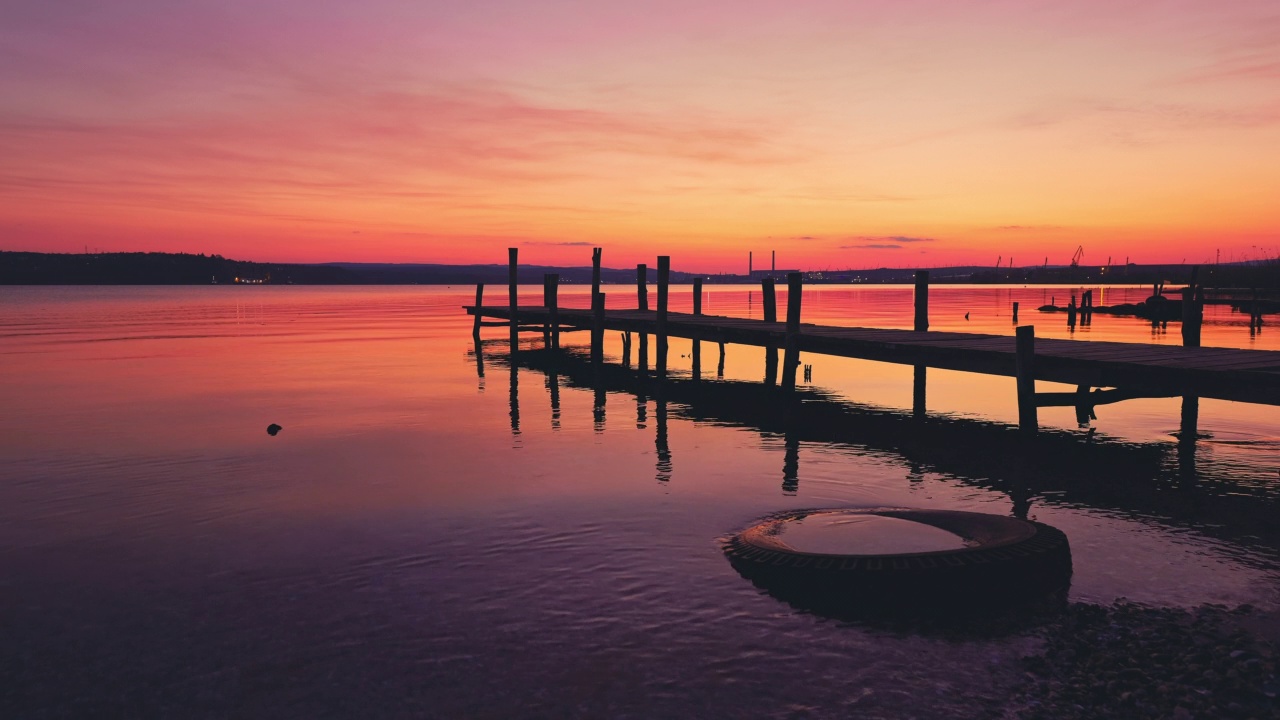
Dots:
pixel 432 537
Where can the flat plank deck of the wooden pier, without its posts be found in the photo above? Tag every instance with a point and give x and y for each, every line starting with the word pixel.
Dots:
pixel 1137 370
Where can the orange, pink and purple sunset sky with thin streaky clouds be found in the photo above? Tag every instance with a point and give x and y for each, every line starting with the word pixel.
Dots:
pixel 840 134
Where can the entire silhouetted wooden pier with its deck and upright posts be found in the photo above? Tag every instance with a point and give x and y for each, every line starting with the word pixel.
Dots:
pixel 1130 370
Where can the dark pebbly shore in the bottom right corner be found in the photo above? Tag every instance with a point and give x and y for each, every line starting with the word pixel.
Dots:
pixel 1133 662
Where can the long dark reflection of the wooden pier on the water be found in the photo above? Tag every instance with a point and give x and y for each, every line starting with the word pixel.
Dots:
pixel 1057 467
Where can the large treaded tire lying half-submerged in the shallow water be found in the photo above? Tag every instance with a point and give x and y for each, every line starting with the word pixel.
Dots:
pixel 1000 562
